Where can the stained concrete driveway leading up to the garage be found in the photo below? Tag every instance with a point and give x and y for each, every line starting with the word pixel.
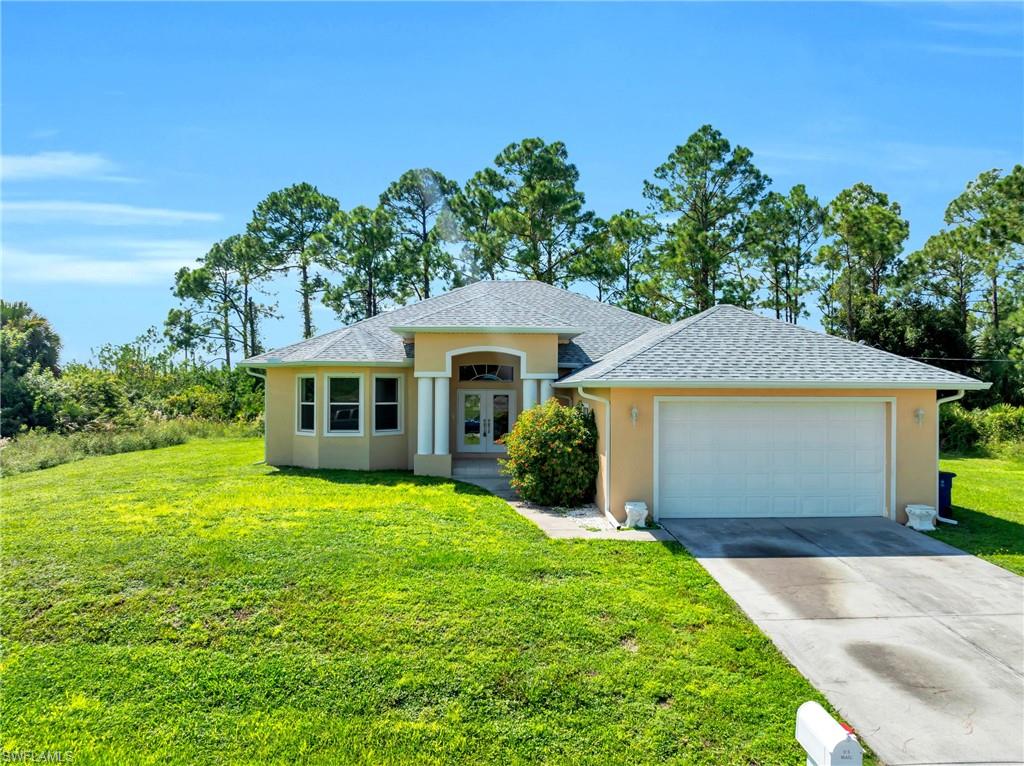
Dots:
pixel 918 645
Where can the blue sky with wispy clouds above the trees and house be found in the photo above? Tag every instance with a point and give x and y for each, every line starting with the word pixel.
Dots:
pixel 137 136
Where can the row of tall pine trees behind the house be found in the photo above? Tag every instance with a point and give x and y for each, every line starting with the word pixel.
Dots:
pixel 713 231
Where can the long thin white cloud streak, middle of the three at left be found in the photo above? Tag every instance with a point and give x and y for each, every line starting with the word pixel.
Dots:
pixel 99 214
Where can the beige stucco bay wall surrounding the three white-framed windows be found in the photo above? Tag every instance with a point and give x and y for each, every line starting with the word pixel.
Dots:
pixel 286 447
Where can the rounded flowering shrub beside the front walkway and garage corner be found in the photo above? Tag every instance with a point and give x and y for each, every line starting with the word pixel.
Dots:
pixel 552 455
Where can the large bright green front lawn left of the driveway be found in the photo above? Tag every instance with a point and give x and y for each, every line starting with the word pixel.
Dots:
pixel 188 606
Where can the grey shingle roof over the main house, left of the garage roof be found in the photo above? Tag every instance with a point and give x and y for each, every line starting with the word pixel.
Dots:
pixel 490 304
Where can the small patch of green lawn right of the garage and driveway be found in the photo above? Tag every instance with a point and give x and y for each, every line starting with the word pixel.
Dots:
pixel 989 503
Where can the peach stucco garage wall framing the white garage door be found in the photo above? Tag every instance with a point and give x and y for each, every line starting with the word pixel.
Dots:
pixel 632 446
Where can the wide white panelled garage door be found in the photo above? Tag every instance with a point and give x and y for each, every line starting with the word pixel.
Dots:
pixel 771 459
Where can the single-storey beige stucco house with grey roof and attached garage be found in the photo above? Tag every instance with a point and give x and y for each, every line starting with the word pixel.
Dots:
pixel 723 414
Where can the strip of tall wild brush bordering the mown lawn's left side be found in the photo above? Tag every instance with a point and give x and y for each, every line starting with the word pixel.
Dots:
pixel 32 451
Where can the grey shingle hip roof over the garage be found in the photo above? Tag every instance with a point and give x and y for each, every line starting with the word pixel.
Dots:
pixel 731 347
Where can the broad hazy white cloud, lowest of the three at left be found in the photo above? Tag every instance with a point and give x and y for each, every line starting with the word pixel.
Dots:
pixel 133 263
